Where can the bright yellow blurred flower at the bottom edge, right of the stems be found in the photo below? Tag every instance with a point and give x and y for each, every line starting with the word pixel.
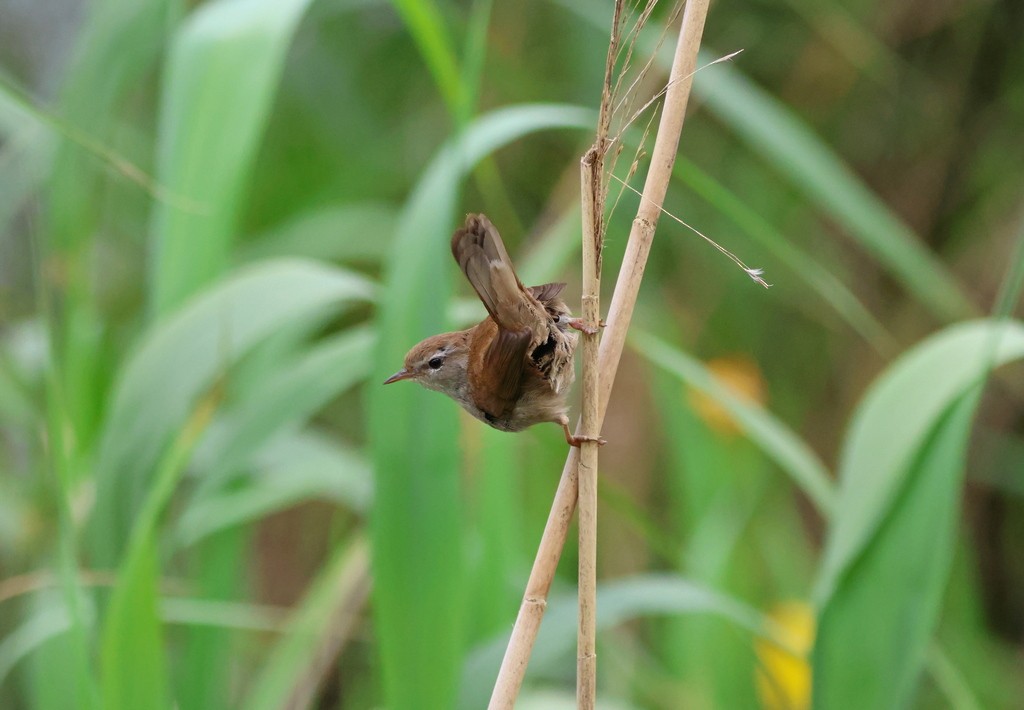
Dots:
pixel 785 679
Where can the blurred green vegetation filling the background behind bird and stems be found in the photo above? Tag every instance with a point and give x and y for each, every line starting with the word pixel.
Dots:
pixel 224 223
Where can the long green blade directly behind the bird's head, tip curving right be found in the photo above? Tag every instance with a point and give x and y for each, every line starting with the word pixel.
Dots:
pixel 417 519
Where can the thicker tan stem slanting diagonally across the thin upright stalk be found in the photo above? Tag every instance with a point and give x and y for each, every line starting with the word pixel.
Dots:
pixel 620 314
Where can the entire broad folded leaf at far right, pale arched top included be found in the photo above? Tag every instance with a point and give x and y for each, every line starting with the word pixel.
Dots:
pixel 889 551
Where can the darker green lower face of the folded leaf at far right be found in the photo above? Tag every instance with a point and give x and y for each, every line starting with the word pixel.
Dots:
pixel 875 631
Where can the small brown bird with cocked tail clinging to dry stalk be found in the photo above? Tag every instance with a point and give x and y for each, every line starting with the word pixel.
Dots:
pixel 515 368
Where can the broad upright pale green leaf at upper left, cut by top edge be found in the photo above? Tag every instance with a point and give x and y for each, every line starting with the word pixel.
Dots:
pixel 224 69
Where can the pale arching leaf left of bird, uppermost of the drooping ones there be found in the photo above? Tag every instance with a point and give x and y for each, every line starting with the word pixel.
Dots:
pixel 182 358
